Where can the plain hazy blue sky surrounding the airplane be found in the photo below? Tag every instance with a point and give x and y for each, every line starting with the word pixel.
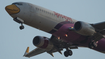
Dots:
pixel 13 41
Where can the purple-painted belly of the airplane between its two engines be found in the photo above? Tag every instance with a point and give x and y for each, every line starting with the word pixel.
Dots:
pixel 63 31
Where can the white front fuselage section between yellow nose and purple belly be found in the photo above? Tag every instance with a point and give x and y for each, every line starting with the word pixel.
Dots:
pixel 39 17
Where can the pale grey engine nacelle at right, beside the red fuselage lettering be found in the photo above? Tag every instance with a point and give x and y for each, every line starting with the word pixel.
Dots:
pixel 84 28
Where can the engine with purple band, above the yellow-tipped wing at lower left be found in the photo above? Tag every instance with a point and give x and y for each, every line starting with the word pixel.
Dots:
pixel 42 42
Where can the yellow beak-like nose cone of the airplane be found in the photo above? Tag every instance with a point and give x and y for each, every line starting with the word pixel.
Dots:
pixel 12 9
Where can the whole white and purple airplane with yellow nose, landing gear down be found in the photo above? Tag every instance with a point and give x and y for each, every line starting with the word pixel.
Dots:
pixel 67 33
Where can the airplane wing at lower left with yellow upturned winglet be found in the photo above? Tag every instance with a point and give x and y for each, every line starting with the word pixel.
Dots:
pixel 58 47
